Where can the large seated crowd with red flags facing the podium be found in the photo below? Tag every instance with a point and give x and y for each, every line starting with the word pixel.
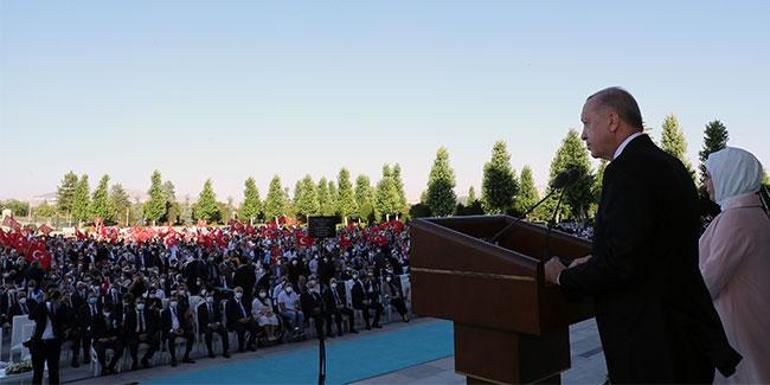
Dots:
pixel 264 285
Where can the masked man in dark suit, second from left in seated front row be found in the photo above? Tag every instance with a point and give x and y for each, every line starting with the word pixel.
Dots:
pixel 142 327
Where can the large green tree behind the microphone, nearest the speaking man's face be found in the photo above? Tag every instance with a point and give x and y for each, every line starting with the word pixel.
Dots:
pixel 573 154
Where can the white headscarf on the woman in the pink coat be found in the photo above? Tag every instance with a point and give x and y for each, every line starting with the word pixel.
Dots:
pixel 734 172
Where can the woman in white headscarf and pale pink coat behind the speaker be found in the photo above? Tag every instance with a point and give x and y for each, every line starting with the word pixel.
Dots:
pixel 735 261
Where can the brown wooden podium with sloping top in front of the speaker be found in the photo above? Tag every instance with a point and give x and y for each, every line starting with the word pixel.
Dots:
pixel 509 327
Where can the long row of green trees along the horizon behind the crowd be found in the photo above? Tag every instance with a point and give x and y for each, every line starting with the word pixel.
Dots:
pixel 502 190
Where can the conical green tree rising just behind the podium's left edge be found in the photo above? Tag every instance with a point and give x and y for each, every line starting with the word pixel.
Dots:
pixel 441 182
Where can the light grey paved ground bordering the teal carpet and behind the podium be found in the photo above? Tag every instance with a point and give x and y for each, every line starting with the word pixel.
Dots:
pixel 587 364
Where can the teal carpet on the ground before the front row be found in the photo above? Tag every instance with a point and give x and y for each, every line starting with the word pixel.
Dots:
pixel 347 361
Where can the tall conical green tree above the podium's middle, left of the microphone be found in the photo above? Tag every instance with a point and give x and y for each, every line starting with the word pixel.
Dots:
pixel 498 188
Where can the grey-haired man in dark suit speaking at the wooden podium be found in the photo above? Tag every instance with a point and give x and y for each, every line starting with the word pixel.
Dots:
pixel 655 316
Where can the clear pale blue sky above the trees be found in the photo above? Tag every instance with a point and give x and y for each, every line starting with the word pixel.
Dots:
pixel 228 90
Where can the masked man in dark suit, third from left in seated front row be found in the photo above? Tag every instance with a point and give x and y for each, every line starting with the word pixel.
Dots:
pixel 178 323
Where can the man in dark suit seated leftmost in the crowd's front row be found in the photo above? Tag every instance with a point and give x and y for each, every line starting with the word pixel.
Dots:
pixel 106 336
